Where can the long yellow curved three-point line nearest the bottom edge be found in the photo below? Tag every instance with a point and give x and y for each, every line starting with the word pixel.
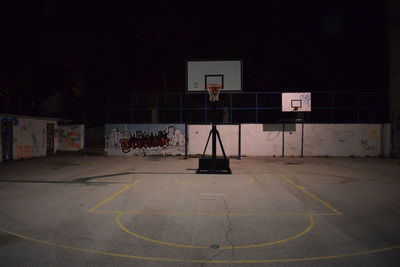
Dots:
pixel 135 257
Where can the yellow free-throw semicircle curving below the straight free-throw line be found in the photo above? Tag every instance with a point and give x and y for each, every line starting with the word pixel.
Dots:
pixel 123 228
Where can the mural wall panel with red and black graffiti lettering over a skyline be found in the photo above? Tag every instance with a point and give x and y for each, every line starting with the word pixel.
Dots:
pixel 144 139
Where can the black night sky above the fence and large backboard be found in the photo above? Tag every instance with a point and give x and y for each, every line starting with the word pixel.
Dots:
pixel 114 47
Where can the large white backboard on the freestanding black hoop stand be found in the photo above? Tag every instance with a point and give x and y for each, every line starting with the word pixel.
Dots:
pixel 229 72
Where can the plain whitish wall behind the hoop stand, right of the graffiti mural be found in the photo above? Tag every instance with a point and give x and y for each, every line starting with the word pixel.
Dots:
pixel 334 140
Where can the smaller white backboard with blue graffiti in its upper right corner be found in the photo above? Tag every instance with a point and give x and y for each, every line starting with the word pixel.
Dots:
pixel 296 102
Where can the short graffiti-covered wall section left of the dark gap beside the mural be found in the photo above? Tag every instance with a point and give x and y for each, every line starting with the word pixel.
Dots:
pixel 71 137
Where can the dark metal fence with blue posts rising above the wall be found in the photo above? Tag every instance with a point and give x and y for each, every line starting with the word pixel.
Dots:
pixel 245 107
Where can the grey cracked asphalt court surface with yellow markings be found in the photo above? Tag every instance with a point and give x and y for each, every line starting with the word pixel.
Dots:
pixel 155 211
